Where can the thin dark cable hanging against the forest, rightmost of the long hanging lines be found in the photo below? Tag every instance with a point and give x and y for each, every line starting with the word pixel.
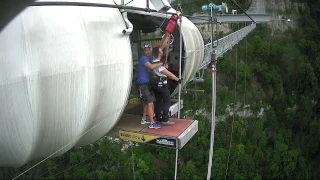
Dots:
pixel 233 115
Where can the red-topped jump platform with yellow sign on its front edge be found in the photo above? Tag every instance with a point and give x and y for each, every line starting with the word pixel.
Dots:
pixel 174 136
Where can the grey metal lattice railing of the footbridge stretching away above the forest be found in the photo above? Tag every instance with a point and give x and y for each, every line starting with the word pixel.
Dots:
pixel 226 43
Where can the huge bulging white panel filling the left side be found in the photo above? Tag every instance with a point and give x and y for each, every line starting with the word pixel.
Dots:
pixel 64 71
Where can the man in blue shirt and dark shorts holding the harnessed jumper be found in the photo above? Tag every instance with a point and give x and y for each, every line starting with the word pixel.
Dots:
pixel 143 81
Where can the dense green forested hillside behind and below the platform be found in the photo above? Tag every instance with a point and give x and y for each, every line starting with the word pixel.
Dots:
pixel 268 95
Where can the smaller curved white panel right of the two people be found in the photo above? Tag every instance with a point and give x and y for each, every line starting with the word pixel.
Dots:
pixel 194 51
